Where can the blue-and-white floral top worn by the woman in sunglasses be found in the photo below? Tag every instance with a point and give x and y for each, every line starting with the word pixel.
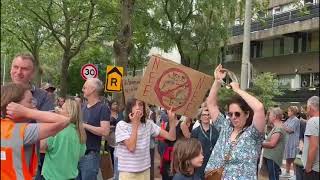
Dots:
pixel 244 155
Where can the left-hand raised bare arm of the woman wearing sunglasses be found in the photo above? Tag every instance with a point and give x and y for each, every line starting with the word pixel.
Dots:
pixel 212 100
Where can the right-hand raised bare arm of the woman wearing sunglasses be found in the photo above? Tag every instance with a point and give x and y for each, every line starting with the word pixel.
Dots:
pixel 257 107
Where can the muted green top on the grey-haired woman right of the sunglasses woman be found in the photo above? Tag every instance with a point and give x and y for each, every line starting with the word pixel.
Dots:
pixel 276 153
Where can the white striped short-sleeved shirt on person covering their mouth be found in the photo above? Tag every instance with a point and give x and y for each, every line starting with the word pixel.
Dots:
pixel 139 160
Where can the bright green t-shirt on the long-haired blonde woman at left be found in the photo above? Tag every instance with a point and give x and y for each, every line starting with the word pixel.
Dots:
pixel 63 154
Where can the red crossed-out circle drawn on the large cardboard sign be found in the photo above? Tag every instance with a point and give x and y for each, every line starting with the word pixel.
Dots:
pixel 173 89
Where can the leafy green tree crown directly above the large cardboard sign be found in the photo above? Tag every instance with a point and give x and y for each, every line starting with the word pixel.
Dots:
pixel 195 28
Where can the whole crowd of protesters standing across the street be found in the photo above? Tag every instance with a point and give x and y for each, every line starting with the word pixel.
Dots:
pixel 38 135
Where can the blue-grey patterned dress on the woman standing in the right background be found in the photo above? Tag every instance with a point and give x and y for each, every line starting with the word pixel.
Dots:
pixel 292 146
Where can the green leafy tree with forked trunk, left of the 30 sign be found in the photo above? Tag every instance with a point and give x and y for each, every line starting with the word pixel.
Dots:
pixel 71 23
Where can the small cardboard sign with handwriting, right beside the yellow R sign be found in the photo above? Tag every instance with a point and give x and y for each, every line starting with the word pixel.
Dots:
pixel 130 86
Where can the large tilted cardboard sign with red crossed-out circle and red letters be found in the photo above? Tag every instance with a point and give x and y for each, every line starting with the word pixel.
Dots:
pixel 168 84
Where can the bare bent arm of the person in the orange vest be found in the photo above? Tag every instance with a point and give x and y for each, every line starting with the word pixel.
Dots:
pixel 49 123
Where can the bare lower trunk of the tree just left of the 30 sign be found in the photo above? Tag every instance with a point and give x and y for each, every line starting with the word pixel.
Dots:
pixel 64 74
